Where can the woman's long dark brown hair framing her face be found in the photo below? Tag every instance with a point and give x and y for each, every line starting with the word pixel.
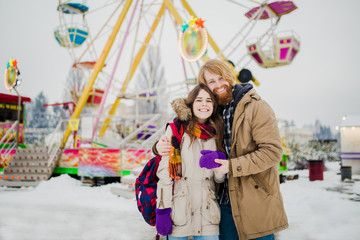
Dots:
pixel 215 120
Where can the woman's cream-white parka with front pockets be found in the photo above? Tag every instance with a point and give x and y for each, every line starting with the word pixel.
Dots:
pixel 194 207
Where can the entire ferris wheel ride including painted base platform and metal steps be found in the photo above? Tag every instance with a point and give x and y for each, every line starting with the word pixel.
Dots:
pixel 109 139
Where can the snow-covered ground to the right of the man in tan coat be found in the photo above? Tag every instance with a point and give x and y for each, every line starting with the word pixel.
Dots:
pixel 317 213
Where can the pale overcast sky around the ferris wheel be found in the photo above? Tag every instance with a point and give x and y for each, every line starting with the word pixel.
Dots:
pixel 322 82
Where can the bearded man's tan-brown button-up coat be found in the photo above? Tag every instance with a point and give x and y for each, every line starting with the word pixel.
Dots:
pixel 254 188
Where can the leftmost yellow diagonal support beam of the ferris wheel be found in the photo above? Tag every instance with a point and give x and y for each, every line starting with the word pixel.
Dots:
pixel 97 68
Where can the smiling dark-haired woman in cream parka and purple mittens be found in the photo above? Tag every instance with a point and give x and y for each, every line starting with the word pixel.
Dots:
pixel 192 182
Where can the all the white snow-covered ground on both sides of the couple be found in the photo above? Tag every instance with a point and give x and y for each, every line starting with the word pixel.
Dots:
pixel 62 209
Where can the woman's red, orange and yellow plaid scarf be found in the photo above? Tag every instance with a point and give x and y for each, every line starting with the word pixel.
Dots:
pixel 201 131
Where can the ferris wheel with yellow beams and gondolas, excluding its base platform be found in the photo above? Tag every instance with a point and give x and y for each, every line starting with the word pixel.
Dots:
pixel 108 75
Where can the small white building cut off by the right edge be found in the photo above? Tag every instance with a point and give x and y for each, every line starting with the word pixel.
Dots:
pixel 350 142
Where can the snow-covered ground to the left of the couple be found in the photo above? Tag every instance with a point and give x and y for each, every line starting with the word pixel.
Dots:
pixel 63 209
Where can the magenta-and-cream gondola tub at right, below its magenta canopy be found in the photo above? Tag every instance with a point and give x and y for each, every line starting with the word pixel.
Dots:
pixel 282 52
